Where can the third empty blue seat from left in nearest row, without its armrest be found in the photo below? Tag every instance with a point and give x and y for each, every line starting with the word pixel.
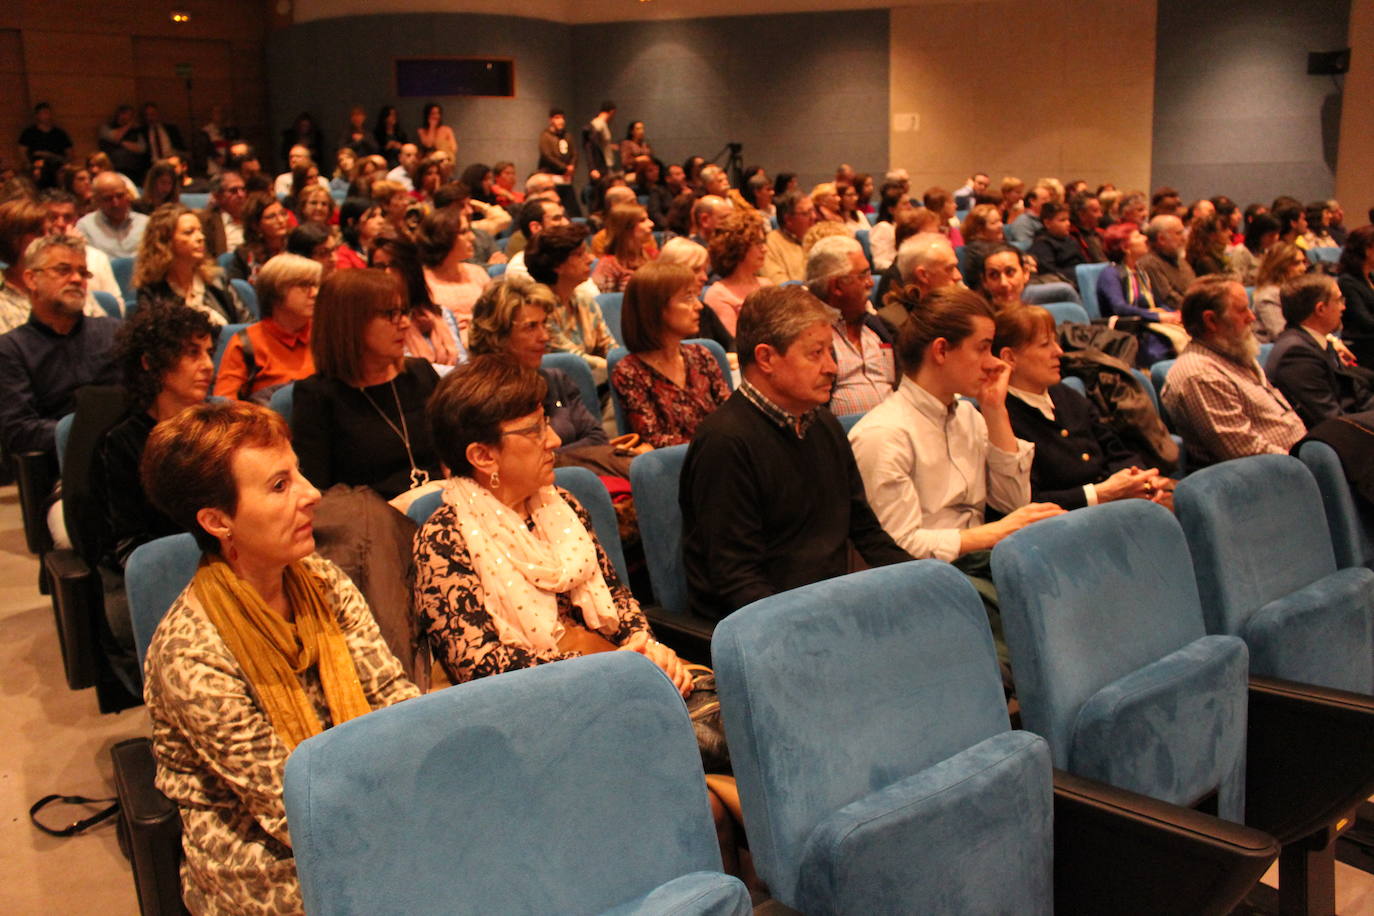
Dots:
pixel 1111 659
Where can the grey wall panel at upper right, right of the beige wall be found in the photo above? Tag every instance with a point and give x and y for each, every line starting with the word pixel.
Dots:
pixel 1235 109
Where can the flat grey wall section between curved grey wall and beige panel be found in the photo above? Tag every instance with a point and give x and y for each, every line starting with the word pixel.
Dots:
pixel 803 93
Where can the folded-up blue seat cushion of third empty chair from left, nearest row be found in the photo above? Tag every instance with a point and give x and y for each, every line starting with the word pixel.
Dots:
pixel 1173 730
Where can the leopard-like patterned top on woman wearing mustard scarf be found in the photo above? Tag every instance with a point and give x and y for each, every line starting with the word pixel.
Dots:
pixel 222 762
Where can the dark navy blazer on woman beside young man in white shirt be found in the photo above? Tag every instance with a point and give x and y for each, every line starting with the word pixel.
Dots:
pixel 1074 450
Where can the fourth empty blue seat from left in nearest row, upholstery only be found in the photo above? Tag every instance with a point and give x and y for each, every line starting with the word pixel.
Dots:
pixel 1268 573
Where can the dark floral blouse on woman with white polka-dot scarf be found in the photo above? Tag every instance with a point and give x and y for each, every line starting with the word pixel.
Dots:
pixel 453 606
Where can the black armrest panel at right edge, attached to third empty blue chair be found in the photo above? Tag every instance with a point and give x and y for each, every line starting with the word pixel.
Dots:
pixel 1310 759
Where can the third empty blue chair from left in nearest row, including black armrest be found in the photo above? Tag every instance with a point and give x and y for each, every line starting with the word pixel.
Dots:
pixel 1114 667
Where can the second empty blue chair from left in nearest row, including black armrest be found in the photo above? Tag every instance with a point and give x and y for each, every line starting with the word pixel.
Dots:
pixel 880 774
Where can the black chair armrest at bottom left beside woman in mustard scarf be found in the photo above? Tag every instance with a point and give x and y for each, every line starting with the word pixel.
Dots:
pixel 150 830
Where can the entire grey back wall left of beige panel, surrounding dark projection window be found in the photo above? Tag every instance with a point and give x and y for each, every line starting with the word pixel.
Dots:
pixel 803 93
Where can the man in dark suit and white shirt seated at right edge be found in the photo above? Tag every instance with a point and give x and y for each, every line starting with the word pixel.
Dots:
pixel 1306 365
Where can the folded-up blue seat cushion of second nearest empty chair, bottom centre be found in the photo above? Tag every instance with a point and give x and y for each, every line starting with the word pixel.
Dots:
pixel 972 834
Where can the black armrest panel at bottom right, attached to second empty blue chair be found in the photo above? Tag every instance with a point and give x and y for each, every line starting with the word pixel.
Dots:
pixel 1129 854
